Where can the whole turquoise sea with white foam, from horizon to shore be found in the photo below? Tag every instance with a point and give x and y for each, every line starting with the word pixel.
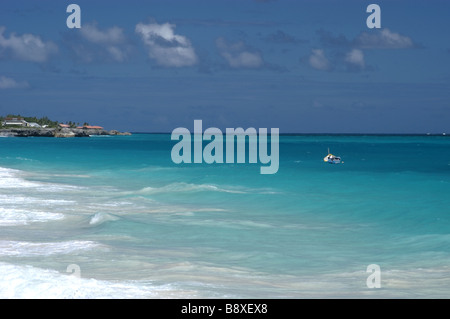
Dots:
pixel 114 217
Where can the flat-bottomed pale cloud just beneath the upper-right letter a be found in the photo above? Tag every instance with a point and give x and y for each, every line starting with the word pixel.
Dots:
pixel 385 39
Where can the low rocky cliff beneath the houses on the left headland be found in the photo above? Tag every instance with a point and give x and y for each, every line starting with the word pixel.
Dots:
pixel 56 132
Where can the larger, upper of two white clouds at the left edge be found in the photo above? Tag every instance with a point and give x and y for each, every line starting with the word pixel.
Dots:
pixel 26 47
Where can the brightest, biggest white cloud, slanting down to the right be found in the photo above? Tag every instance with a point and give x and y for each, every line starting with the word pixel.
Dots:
pixel 166 47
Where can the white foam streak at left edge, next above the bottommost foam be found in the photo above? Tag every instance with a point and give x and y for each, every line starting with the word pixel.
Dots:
pixel 29 249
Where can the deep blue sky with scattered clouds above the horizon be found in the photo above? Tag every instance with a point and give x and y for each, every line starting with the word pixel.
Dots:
pixel 300 66
